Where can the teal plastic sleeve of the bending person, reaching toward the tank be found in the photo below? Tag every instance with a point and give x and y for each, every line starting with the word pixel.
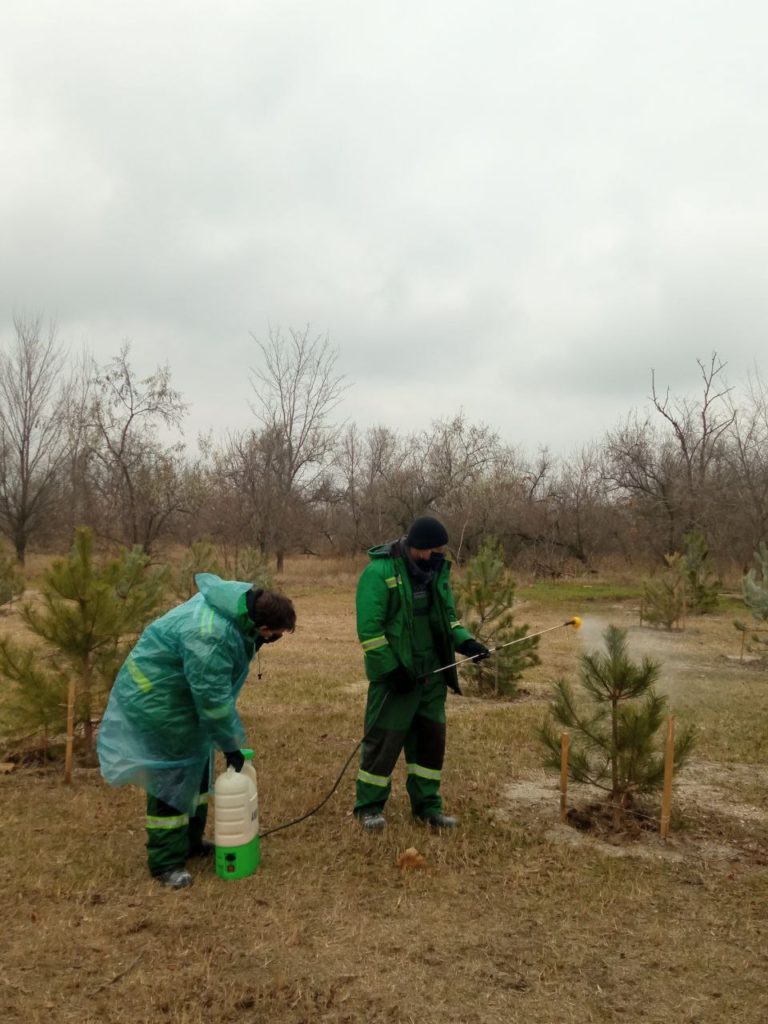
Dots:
pixel 209 667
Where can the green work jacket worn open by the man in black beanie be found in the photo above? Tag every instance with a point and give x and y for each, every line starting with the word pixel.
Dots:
pixel 386 616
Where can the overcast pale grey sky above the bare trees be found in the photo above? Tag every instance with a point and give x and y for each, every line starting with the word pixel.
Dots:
pixel 516 208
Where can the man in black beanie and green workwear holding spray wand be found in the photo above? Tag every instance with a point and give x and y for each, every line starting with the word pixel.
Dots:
pixel 408 627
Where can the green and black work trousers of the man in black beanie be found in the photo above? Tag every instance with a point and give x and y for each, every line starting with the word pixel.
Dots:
pixel 416 722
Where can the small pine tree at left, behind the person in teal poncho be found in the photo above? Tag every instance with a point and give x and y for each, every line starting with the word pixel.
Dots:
pixel 88 615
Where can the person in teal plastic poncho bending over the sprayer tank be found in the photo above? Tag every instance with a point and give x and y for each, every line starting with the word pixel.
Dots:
pixel 174 704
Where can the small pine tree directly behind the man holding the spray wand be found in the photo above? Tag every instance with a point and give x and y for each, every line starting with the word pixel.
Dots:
pixel 486 598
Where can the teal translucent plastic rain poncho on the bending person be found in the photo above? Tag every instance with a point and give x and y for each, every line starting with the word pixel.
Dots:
pixel 174 700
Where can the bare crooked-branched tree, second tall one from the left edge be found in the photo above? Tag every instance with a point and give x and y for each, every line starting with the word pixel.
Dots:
pixel 138 475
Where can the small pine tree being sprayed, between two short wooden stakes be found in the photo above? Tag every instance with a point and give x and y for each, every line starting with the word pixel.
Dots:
pixel 614 743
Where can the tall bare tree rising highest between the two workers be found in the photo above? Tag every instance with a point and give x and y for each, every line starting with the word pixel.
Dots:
pixel 296 389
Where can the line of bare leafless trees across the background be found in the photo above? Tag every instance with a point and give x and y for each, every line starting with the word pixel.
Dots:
pixel 86 444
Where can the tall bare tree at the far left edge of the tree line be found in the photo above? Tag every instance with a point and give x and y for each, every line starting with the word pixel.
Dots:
pixel 32 441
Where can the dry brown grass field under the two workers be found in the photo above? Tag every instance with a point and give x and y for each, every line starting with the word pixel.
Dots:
pixel 515 919
